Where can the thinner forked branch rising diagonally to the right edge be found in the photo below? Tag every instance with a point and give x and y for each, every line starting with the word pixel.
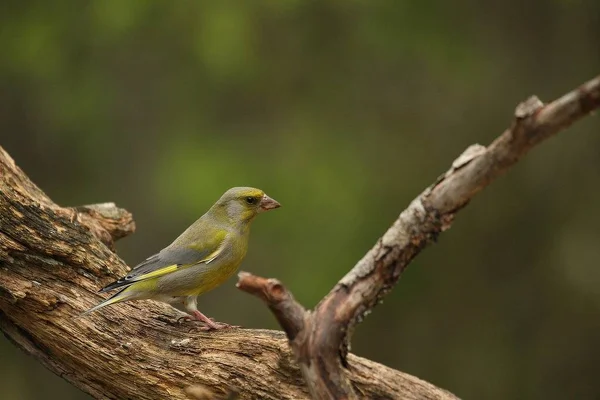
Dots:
pixel 321 347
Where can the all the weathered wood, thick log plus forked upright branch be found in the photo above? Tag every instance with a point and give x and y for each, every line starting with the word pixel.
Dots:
pixel 54 259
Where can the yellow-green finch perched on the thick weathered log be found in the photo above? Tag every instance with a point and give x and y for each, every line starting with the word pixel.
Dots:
pixel 203 257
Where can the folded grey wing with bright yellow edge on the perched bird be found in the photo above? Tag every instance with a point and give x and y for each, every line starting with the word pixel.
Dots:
pixel 175 257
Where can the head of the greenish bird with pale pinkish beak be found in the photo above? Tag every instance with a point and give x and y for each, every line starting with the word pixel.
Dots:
pixel 243 203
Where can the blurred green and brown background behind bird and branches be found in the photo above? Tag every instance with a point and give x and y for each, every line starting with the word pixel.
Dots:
pixel 343 111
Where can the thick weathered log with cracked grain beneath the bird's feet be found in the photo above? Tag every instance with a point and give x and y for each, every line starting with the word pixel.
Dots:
pixel 52 262
